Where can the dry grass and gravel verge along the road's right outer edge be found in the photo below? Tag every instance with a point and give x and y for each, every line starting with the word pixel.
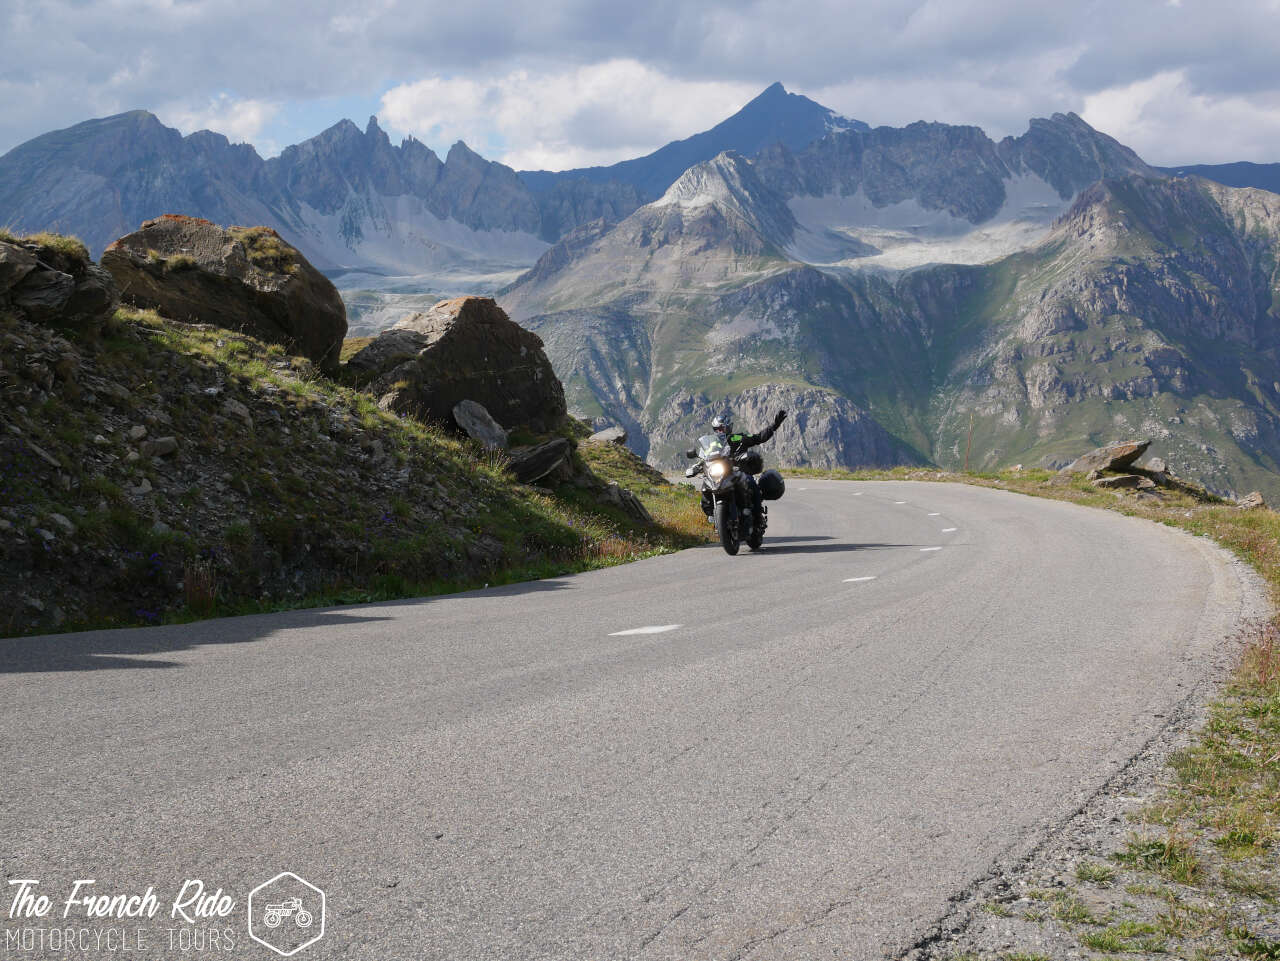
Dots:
pixel 1196 871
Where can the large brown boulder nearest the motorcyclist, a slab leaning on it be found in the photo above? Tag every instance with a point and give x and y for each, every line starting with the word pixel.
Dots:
pixel 464 350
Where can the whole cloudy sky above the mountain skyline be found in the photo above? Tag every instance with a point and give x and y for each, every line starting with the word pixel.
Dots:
pixel 587 83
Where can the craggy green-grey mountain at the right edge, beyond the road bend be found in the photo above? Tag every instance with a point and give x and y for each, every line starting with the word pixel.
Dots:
pixel 1154 309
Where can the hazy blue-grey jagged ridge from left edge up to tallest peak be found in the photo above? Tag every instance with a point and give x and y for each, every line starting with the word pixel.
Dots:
pixel 350 199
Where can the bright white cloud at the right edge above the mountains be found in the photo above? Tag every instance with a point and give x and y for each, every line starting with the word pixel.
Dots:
pixel 1168 122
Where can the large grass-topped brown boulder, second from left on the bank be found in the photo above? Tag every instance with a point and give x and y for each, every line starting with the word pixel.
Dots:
pixel 240 278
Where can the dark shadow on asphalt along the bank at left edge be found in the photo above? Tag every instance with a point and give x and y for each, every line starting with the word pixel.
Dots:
pixel 98 651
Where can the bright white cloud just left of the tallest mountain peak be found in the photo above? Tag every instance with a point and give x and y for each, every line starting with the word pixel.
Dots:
pixel 580 117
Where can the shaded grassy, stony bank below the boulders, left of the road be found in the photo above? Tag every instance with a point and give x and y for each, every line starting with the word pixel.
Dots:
pixel 166 473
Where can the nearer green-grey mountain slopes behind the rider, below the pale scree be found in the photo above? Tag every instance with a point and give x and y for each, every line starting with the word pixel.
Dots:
pixel 1149 309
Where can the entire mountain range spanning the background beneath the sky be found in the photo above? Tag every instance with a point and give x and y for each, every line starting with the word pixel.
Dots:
pixel 894 287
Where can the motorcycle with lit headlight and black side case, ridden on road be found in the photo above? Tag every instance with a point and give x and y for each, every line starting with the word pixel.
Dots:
pixel 725 488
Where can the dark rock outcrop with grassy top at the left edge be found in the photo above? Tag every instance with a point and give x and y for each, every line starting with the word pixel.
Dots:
pixel 54 283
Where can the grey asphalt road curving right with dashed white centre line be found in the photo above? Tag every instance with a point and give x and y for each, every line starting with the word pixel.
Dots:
pixel 912 684
